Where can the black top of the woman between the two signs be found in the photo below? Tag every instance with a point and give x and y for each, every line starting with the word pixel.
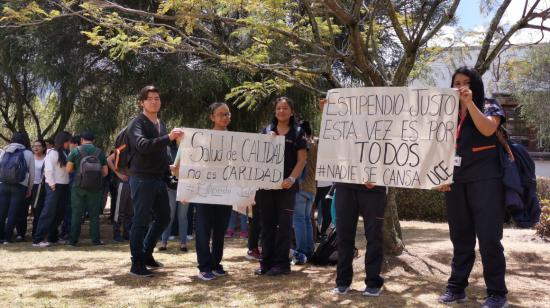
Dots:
pixel 295 140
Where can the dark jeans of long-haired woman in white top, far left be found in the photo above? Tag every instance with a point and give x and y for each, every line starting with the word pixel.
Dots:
pixel 55 207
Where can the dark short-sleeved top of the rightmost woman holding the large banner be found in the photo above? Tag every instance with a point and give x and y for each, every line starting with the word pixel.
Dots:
pixel 479 154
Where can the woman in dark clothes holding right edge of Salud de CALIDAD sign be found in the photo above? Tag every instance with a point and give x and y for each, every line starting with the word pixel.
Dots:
pixel 277 206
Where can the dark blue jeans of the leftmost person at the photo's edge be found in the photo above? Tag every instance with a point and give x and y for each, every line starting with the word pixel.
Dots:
pixel 12 199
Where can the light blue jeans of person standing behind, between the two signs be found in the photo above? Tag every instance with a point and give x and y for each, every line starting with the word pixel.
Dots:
pixel 303 229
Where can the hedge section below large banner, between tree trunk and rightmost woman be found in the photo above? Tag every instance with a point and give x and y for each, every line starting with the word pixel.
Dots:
pixel 421 204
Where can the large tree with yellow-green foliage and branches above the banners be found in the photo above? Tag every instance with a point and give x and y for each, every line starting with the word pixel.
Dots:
pixel 310 44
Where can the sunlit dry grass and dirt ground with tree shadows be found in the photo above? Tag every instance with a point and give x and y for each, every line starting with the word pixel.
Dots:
pixel 63 276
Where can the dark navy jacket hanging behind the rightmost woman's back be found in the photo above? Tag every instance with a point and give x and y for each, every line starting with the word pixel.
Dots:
pixel 520 187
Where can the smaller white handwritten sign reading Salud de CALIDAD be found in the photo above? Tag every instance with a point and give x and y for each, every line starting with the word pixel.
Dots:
pixel 221 167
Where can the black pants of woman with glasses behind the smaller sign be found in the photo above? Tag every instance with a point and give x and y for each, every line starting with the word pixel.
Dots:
pixel 212 222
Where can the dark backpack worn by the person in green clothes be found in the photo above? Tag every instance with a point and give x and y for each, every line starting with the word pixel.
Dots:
pixel 89 175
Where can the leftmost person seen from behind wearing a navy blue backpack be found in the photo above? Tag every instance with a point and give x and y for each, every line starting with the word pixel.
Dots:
pixel 16 180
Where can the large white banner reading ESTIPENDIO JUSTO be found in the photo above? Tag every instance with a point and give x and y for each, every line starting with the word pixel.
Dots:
pixel 391 136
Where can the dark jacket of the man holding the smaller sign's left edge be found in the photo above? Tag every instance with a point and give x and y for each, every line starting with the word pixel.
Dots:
pixel 147 151
